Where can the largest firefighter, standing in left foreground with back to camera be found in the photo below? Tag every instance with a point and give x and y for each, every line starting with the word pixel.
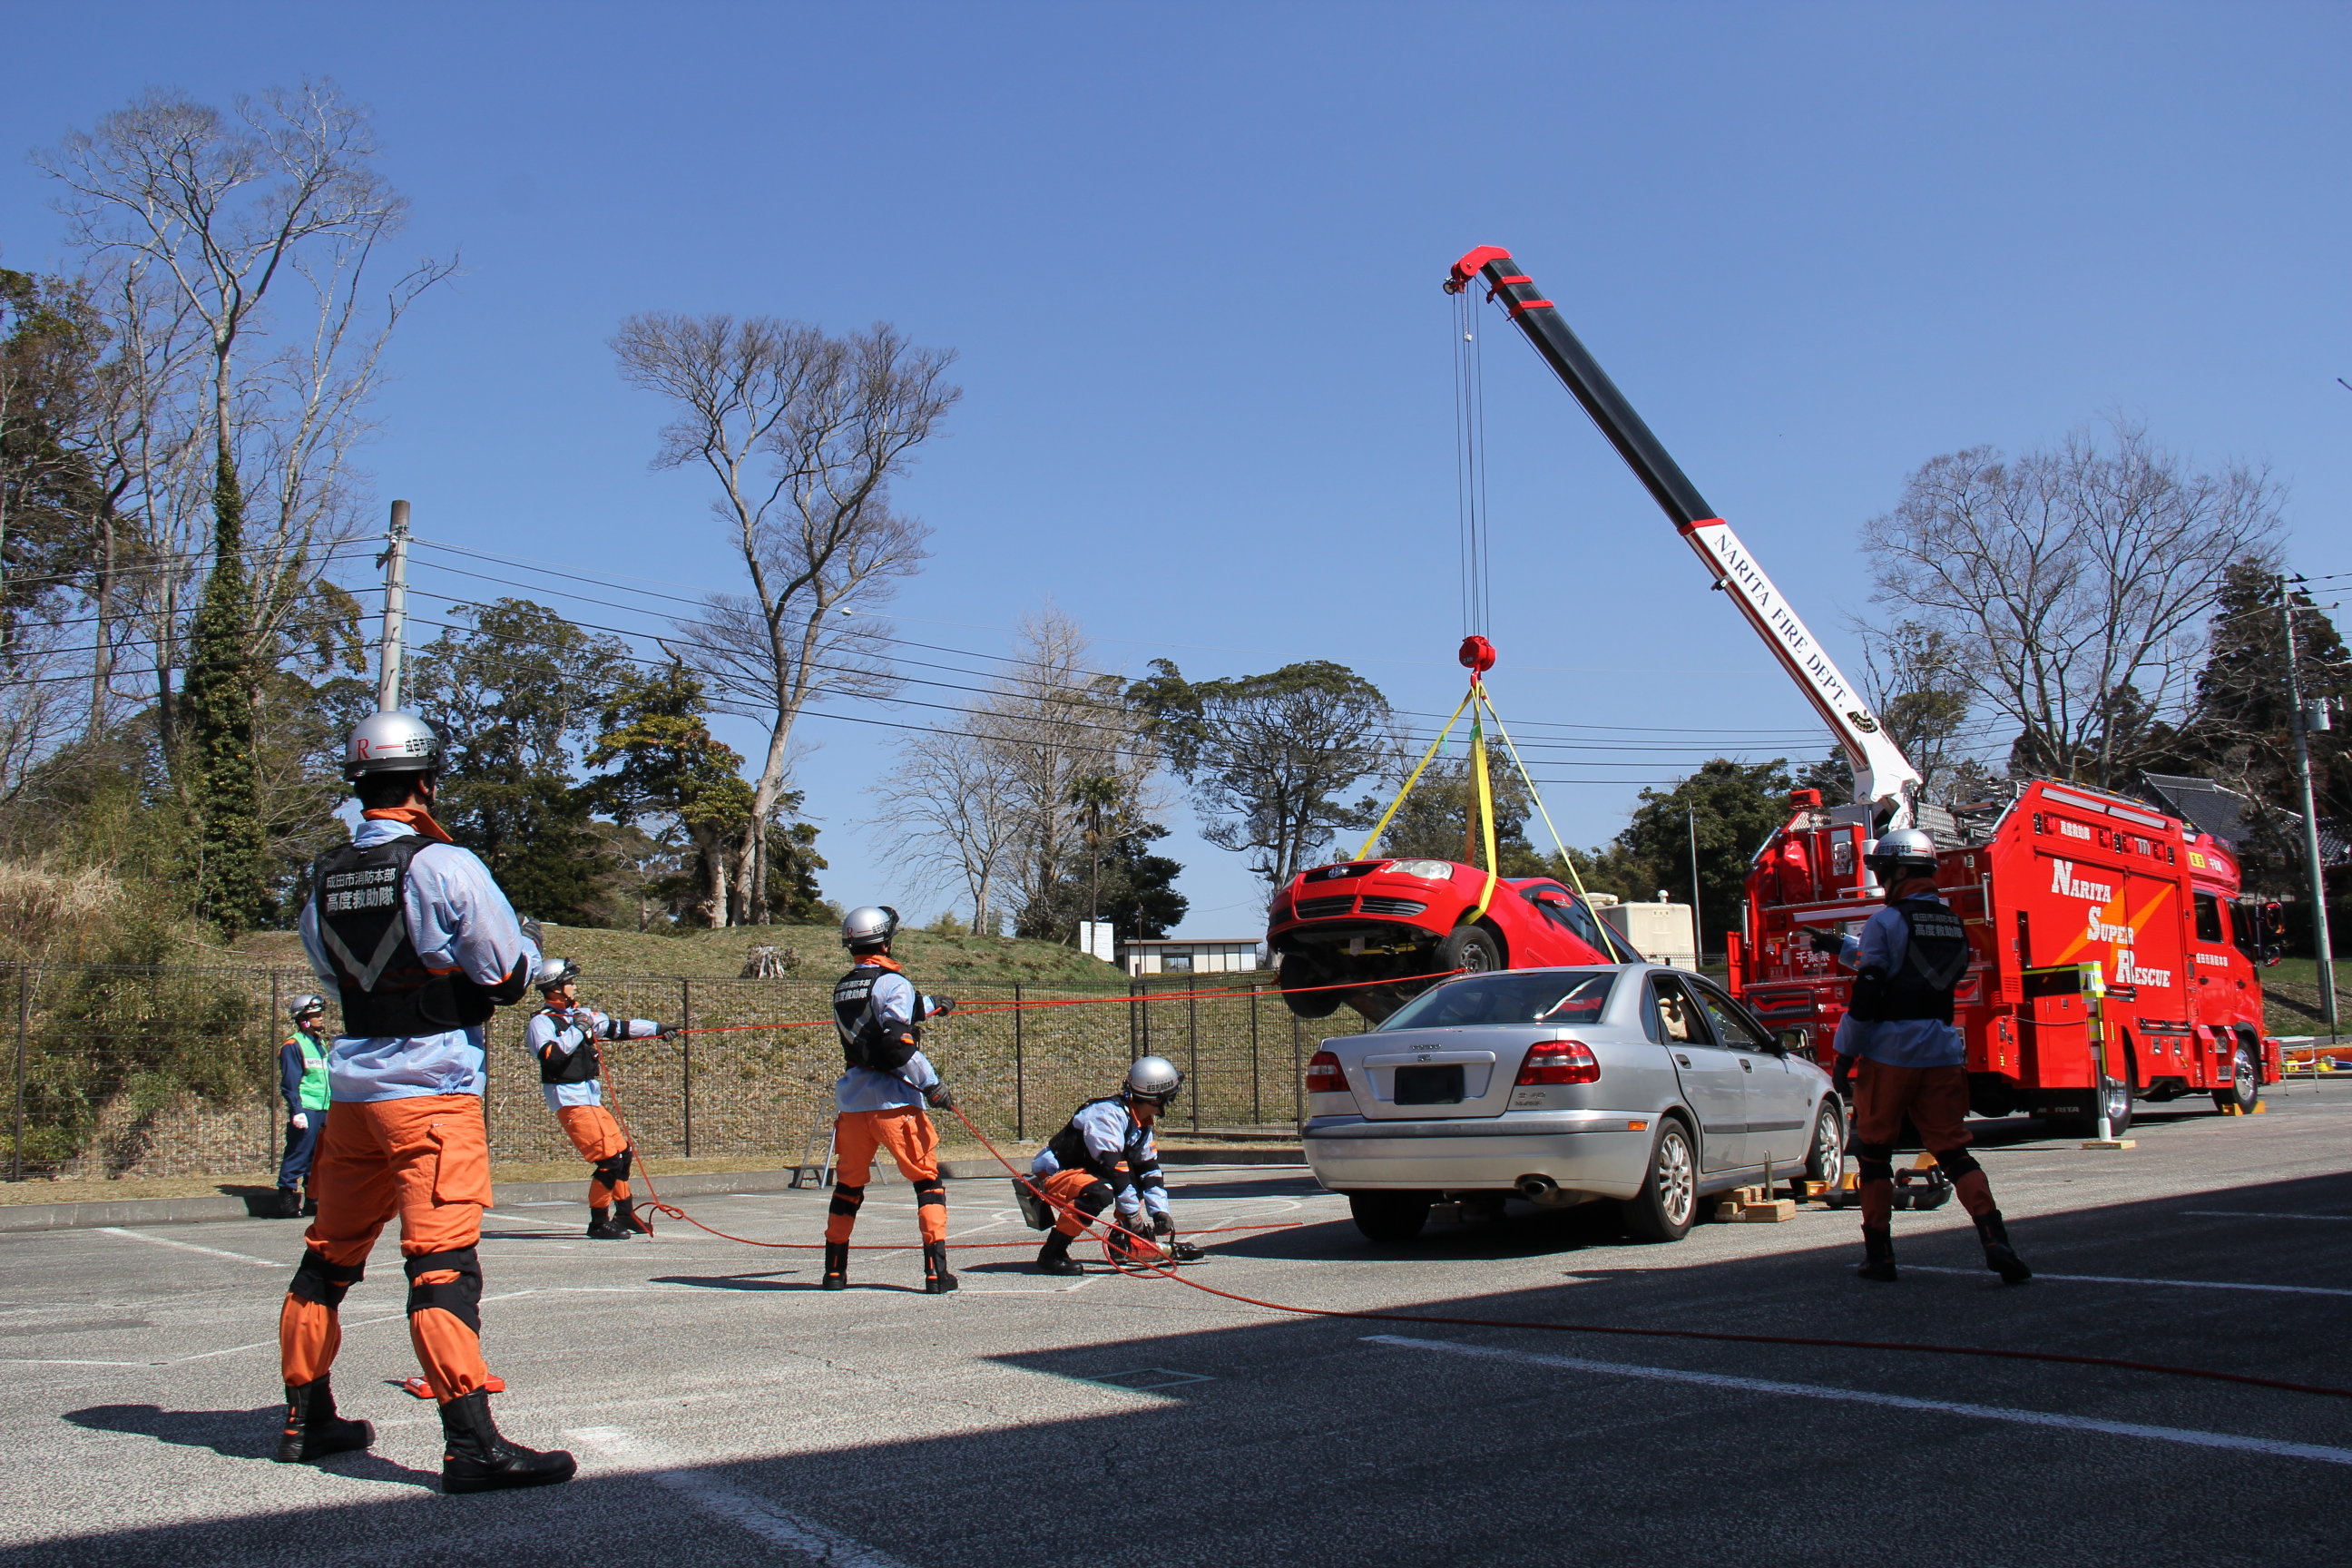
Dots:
pixel 422 946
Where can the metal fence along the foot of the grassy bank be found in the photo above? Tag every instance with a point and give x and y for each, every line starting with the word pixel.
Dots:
pixel 166 1071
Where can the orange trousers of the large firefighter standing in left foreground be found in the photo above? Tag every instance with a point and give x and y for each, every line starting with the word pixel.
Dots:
pixel 425 1160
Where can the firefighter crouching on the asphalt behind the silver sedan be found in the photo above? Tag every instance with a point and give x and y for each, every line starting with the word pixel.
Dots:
pixel 1107 1155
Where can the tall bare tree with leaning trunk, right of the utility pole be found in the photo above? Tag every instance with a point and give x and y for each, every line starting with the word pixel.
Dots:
pixel 803 436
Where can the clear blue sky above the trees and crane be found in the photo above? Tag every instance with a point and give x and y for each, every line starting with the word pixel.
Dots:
pixel 1191 255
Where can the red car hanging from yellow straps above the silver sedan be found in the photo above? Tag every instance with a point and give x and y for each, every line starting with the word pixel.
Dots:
pixel 1370 934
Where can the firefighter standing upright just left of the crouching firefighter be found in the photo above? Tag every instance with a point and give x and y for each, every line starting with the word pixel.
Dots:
pixel 881 1099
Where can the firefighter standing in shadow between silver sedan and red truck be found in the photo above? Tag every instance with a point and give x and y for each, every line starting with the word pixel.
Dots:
pixel 1913 1064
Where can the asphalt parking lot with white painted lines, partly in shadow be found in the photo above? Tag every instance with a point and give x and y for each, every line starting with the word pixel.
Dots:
pixel 726 1412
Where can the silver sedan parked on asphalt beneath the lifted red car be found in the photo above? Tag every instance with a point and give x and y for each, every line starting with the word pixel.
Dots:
pixel 1636 1085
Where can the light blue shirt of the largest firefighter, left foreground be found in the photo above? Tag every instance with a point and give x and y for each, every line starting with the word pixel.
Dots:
pixel 457 920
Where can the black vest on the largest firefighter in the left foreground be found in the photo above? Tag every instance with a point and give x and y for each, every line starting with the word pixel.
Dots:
pixel 363 923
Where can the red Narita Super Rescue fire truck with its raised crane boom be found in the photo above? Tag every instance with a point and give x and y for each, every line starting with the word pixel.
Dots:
pixel 2116 958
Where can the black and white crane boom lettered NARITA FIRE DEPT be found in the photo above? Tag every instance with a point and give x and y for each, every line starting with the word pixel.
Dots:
pixel 1883 775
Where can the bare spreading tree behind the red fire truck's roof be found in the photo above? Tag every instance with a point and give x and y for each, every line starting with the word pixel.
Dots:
pixel 2071 587
